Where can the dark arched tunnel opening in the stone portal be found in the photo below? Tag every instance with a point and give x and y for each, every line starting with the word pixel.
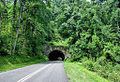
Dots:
pixel 56 55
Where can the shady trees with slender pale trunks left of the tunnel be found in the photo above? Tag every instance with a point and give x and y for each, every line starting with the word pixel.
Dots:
pixel 34 28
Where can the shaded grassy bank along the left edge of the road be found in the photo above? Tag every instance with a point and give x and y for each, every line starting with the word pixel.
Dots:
pixel 9 63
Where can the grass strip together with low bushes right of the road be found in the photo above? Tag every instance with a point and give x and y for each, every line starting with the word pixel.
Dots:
pixel 96 69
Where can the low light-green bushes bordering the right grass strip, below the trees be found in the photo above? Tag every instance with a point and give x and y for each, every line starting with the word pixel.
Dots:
pixel 103 68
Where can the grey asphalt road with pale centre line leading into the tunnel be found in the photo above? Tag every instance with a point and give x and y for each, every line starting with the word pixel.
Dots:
pixel 52 71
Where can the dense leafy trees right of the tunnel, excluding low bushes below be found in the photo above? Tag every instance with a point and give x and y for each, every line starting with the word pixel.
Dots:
pixel 90 27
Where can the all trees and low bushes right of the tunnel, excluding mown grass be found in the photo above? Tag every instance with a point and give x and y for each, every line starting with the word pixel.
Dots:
pixel 92 29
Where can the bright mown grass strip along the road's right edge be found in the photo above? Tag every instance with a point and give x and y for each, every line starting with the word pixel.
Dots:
pixel 77 73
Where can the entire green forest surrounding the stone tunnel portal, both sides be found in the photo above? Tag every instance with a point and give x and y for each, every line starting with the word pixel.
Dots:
pixel 90 28
